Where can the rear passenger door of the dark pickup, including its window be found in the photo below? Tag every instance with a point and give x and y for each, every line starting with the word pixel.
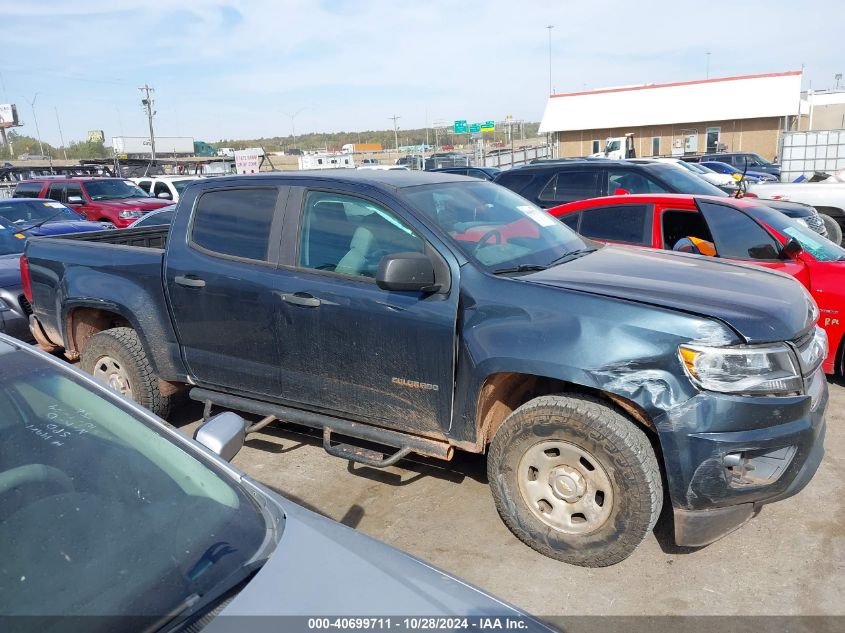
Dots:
pixel 221 287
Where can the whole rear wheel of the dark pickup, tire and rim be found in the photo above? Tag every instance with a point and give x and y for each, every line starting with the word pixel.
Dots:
pixel 117 359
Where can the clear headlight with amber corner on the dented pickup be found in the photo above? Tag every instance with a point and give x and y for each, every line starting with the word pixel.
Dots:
pixel 749 370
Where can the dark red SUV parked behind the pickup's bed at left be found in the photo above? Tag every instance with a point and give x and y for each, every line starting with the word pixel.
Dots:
pixel 114 200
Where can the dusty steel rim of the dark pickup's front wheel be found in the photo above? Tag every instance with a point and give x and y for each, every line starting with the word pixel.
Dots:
pixel 565 487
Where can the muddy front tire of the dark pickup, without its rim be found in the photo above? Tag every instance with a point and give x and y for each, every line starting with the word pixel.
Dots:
pixel 621 449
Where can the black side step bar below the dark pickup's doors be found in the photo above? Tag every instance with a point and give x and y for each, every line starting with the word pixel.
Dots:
pixel 403 442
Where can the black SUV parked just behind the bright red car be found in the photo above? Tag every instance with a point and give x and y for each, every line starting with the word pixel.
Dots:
pixel 554 183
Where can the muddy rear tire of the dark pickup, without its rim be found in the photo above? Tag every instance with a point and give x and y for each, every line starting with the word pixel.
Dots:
pixel 123 344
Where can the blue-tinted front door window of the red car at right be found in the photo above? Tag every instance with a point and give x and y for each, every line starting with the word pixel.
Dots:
pixel 736 235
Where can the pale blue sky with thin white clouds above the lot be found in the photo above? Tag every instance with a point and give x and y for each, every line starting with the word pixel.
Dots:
pixel 231 69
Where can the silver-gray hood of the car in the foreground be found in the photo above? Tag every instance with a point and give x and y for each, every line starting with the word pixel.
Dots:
pixel 323 568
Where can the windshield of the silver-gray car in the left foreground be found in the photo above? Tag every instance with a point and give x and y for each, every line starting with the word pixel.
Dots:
pixel 100 512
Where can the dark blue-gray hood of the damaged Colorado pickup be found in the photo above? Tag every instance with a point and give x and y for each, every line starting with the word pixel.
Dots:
pixel 761 305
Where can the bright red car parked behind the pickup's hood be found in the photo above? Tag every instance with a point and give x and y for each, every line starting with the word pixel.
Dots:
pixel 740 230
